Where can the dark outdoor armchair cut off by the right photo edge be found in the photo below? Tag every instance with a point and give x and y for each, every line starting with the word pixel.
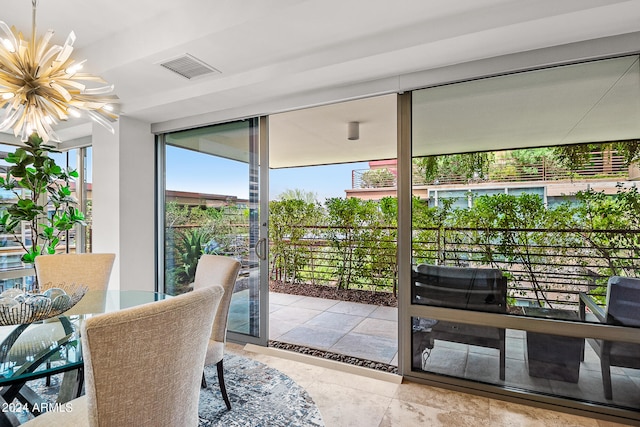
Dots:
pixel 622 309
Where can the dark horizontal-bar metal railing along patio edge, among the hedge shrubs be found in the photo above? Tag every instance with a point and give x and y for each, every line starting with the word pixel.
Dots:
pixel 543 267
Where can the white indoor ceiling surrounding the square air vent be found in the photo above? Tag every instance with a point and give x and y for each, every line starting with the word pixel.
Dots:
pixel 269 50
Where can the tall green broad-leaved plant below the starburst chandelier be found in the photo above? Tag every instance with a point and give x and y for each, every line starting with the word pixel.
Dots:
pixel 44 201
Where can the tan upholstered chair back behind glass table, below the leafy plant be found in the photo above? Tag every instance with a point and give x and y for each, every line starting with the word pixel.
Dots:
pixel 91 270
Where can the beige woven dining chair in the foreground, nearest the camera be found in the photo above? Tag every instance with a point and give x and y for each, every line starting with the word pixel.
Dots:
pixel 143 364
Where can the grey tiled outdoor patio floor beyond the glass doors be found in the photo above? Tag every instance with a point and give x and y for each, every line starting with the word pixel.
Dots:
pixel 370 332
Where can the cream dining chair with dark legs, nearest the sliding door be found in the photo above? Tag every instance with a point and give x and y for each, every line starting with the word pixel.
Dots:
pixel 220 270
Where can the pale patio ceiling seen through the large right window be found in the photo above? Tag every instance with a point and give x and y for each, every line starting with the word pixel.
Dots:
pixel 587 102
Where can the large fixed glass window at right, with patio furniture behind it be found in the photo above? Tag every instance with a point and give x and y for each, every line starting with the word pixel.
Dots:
pixel 494 238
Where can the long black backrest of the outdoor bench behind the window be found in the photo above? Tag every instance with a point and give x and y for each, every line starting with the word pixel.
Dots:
pixel 483 289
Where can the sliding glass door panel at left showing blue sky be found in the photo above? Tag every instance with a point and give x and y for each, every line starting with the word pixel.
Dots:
pixel 211 206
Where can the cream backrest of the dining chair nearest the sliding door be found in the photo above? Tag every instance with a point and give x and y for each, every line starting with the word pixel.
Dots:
pixel 218 270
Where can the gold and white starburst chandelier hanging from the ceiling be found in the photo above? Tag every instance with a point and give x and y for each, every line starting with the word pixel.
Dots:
pixel 40 85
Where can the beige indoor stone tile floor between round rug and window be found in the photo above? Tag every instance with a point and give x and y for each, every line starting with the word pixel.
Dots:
pixel 354 397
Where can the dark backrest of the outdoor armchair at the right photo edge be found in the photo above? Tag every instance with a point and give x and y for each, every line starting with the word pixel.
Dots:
pixel 623 301
